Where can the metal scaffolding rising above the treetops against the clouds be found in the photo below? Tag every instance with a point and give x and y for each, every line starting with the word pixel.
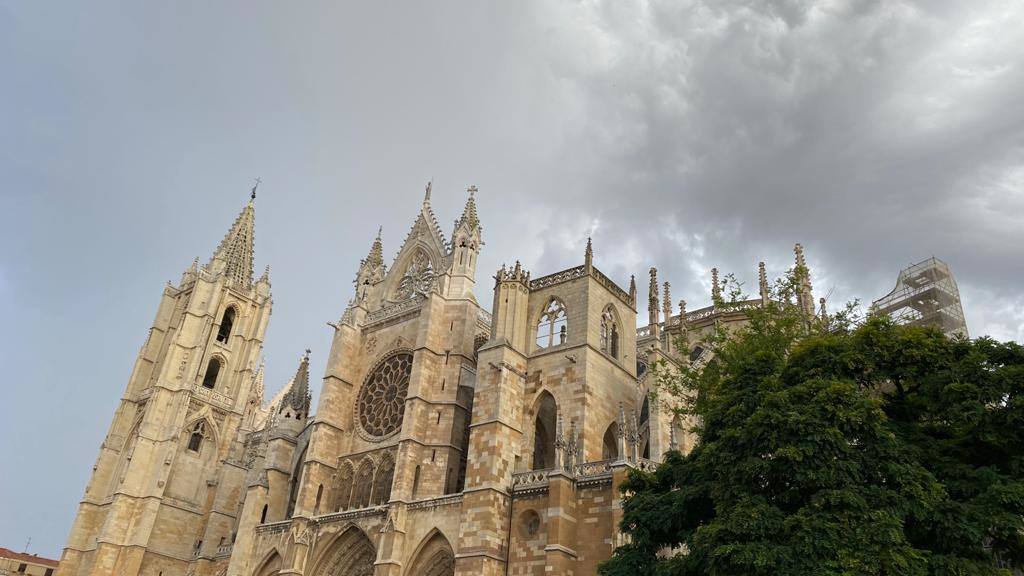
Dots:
pixel 926 295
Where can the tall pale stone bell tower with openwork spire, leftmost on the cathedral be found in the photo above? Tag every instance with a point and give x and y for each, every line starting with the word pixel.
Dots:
pixel 159 499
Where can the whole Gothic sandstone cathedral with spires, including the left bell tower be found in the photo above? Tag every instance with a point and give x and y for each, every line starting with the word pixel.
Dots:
pixel 447 439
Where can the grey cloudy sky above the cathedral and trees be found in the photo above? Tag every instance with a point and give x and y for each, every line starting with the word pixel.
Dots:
pixel 682 135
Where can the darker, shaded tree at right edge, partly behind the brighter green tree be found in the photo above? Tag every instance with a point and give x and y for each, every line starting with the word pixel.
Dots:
pixel 957 407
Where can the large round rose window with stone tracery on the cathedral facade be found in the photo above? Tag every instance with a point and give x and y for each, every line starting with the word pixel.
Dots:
pixel 382 400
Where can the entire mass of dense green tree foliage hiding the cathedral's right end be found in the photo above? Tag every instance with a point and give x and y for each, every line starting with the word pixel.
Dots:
pixel 877 449
